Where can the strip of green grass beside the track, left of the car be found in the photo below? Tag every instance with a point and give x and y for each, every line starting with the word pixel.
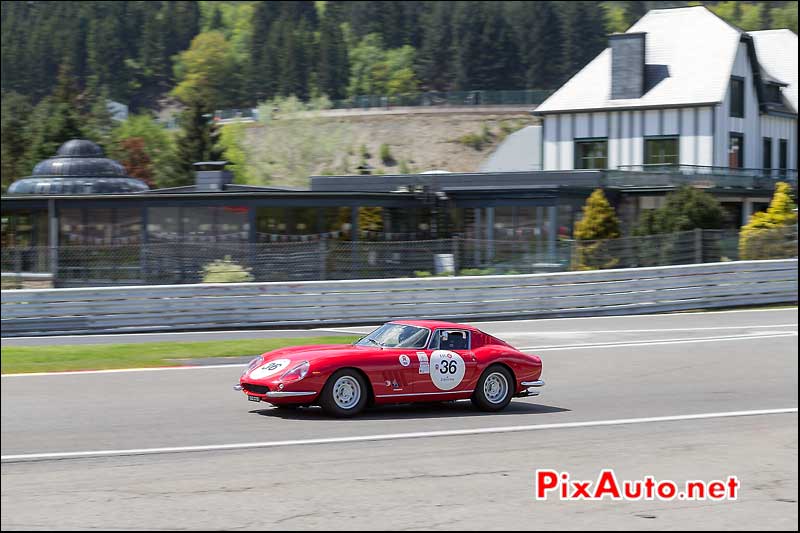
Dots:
pixel 17 359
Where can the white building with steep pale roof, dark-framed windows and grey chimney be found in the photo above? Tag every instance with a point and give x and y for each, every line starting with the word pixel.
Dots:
pixel 681 86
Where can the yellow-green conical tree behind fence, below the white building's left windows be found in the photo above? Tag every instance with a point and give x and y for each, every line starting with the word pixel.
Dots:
pixel 593 232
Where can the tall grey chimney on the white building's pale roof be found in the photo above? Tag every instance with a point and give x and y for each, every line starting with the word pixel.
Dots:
pixel 627 65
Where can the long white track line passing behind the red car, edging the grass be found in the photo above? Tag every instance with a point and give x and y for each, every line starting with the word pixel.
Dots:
pixel 652 342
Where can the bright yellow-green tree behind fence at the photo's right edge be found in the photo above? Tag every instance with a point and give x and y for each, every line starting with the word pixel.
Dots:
pixel 771 234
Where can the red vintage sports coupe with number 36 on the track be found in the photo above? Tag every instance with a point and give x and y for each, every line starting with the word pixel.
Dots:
pixel 400 362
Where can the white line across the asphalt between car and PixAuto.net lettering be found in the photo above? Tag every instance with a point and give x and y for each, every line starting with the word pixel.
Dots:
pixel 391 436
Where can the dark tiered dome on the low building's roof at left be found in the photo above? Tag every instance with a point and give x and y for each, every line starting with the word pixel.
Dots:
pixel 79 167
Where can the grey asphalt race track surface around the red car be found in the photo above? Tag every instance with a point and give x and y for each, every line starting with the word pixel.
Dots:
pixel 86 450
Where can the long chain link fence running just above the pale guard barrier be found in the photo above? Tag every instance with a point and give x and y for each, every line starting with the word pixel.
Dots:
pixel 327 259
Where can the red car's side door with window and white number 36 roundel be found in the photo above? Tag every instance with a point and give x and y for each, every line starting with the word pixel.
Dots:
pixel 447 365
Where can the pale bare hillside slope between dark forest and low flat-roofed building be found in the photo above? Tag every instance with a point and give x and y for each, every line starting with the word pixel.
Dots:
pixel 287 151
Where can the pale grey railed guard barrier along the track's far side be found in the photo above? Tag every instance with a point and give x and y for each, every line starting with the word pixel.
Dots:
pixel 315 303
